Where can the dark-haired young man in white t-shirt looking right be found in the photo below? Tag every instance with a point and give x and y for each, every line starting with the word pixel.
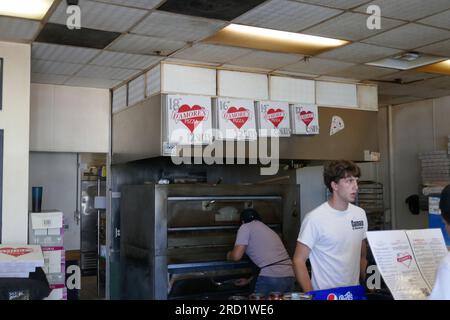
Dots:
pixel 333 235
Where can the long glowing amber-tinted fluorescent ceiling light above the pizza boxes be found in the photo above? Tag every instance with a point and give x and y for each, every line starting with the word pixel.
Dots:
pixel 273 40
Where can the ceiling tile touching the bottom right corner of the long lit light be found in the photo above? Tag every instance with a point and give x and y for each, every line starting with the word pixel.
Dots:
pixel 317 66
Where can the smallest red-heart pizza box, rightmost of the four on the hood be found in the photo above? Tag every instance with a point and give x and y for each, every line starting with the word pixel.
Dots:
pixel 305 119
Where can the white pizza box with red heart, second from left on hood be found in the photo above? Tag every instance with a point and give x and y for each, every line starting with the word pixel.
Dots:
pixel 236 119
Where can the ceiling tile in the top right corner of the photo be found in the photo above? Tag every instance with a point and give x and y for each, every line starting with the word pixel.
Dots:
pixel 408 9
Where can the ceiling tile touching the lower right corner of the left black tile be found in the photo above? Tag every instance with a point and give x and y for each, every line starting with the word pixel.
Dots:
pixel 125 60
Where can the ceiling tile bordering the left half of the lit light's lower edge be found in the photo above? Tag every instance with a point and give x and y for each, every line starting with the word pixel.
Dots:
pixel 211 53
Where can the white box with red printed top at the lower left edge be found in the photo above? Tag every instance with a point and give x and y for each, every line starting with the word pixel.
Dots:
pixel 18 260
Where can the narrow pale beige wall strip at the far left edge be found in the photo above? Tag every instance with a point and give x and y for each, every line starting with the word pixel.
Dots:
pixel 15 119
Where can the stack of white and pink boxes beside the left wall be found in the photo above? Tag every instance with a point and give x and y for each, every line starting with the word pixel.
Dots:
pixel 46 229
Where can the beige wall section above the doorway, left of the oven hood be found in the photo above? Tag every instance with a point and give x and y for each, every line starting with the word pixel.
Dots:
pixel 69 119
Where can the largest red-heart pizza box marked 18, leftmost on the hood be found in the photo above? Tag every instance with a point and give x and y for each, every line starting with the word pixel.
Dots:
pixel 188 119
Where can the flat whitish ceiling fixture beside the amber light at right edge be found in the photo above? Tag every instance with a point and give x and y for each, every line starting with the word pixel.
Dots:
pixel 406 61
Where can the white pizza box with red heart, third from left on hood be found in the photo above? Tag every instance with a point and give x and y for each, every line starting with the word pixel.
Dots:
pixel 273 119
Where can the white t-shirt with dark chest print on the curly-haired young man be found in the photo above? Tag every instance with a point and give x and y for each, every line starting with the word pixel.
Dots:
pixel 334 238
